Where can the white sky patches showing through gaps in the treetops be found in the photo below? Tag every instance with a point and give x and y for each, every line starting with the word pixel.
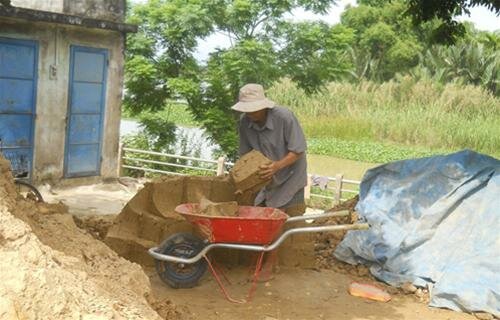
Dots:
pixel 482 18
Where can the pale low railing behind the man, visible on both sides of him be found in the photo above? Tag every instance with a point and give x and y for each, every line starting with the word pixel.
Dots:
pixel 130 158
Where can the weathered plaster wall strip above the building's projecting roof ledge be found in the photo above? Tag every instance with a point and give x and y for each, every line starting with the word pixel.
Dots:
pixel 113 10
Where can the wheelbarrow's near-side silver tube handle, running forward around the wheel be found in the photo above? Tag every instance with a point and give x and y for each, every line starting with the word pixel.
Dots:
pixel 154 251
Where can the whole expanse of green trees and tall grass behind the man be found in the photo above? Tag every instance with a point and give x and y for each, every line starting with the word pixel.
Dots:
pixel 375 87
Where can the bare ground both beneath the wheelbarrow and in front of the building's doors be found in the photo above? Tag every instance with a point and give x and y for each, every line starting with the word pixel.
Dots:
pixel 293 294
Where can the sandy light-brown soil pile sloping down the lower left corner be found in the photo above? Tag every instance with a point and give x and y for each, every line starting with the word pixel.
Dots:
pixel 51 269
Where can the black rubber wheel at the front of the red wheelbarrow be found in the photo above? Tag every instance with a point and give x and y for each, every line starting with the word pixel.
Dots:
pixel 180 275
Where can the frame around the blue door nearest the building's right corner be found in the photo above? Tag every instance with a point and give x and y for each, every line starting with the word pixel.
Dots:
pixel 73 50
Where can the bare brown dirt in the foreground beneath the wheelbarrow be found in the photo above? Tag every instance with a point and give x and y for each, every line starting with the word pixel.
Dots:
pixel 296 294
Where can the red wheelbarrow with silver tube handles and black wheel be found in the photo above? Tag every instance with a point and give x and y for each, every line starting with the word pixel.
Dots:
pixel 181 260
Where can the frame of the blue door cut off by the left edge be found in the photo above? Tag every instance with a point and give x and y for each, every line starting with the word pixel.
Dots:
pixel 35 44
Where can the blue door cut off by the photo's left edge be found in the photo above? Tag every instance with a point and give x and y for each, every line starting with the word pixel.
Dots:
pixel 18 76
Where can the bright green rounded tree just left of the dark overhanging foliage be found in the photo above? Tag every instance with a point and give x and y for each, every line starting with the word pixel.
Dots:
pixel 386 41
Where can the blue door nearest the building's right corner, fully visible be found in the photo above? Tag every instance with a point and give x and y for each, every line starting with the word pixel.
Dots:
pixel 87 88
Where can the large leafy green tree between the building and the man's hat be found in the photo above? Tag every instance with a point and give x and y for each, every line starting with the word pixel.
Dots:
pixel 161 67
